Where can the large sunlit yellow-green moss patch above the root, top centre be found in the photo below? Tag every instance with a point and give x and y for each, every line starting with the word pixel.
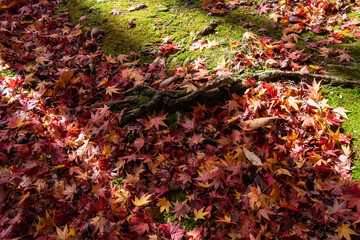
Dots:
pixel 183 20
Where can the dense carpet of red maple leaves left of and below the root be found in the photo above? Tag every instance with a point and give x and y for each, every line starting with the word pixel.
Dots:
pixel 271 163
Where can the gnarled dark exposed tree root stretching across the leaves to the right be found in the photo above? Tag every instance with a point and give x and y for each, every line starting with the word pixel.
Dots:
pixel 212 92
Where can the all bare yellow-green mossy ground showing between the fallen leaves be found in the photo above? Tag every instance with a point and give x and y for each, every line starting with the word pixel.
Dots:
pixel 184 18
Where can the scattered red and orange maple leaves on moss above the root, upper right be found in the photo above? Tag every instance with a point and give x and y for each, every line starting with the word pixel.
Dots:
pixel 319 17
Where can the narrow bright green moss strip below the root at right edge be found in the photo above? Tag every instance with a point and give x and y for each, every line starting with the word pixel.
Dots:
pixel 349 99
